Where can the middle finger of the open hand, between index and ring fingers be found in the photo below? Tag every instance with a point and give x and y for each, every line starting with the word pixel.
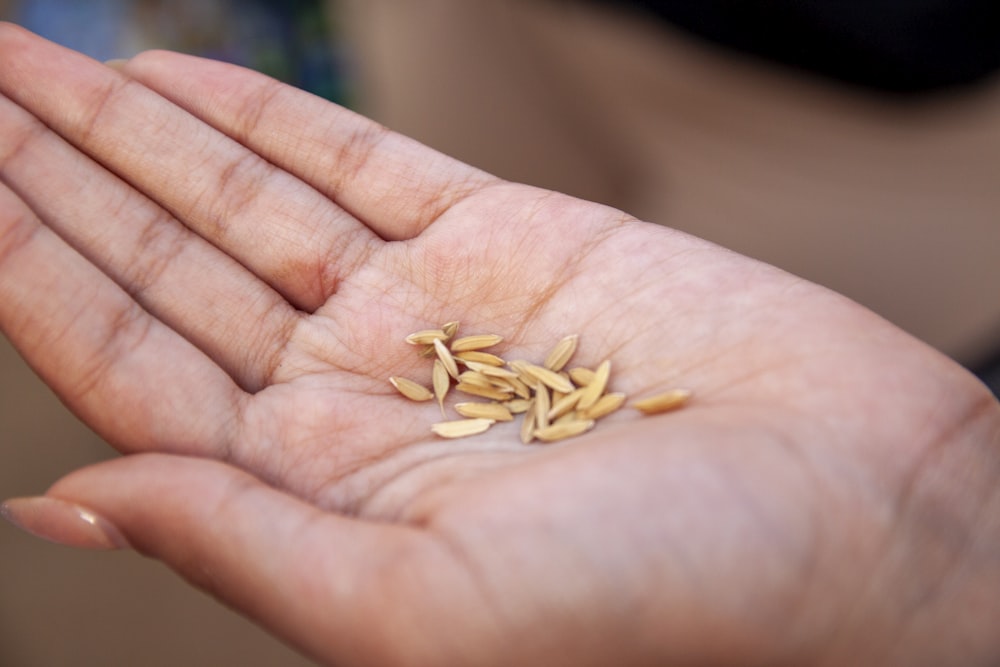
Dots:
pixel 190 285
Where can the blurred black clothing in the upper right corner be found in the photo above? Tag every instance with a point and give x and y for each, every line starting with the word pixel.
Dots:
pixel 903 46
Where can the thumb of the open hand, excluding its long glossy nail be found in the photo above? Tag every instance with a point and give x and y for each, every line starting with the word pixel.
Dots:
pixel 329 584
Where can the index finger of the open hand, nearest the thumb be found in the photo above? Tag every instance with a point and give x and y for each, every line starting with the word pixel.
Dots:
pixel 123 372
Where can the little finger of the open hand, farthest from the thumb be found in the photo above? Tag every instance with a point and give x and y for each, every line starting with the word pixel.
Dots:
pixel 392 183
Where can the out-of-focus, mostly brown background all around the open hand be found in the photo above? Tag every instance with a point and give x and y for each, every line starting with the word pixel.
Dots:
pixel 879 182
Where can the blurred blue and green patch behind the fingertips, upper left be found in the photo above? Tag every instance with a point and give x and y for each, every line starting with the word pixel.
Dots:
pixel 290 40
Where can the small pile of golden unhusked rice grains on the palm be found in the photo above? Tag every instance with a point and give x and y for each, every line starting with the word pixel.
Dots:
pixel 555 403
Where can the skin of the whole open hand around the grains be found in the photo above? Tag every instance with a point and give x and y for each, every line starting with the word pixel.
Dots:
pixel 216 272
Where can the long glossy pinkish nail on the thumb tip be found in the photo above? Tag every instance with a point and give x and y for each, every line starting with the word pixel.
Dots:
pixel 63 522
